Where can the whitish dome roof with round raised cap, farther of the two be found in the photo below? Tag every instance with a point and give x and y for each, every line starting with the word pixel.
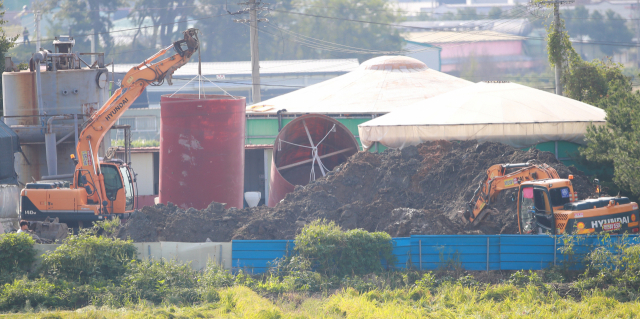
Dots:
pixel 379 85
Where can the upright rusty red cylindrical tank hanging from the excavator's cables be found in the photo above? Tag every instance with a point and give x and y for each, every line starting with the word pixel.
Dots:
pixel 202 150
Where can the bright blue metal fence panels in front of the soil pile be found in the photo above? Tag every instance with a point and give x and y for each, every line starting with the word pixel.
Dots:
pixel 428 252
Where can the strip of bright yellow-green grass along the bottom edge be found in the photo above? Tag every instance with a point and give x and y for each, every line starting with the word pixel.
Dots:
pixel 448 301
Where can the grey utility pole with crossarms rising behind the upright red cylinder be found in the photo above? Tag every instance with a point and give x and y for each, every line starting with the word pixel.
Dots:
pixel 254 7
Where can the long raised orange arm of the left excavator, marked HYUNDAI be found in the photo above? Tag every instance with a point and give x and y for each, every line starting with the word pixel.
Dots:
pixel 133 84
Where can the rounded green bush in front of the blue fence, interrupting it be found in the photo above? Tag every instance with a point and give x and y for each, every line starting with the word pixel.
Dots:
pixel 342 253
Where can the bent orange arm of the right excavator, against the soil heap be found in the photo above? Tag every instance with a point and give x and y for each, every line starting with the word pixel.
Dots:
pixel 498 179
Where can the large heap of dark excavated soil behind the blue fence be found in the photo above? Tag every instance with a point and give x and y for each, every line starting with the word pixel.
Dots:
pixel 416 190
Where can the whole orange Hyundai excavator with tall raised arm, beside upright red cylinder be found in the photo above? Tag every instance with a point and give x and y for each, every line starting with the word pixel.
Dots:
pixel 103 189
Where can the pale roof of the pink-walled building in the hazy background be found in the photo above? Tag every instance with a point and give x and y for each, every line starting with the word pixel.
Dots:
pixel 439 37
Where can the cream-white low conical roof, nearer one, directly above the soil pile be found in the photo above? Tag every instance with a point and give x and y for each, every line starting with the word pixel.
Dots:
pixel 509 113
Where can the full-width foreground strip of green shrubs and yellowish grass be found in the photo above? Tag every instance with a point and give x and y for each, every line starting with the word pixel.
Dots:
pixel 96 276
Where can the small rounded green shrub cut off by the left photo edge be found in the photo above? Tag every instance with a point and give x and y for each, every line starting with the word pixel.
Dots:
pixel 16 252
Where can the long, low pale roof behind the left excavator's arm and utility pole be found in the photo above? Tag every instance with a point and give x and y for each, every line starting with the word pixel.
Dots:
pixel 266 67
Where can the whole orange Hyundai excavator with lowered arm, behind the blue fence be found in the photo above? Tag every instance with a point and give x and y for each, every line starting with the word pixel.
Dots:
pixel 548 204
